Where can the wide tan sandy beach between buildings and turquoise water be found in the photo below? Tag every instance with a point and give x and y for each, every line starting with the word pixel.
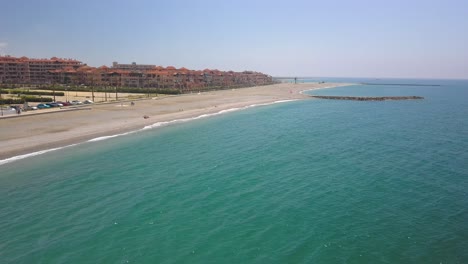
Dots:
pixel 35 131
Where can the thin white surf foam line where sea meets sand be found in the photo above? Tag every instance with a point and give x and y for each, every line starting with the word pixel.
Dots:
pixel 155 125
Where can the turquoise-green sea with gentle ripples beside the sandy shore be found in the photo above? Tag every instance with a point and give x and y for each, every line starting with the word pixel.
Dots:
pixel 314 181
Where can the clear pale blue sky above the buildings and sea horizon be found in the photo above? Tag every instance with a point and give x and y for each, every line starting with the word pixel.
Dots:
pixel 359 38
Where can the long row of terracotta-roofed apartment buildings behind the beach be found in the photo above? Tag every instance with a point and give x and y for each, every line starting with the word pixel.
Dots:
pixel 73 72
